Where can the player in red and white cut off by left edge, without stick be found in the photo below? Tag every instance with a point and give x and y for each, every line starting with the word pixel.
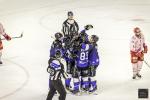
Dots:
pixel 7 37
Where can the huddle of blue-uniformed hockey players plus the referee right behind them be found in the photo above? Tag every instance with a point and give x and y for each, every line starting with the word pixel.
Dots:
pixel 80 53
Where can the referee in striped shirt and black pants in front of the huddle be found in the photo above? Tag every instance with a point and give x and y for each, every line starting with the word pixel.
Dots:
pixel 56 70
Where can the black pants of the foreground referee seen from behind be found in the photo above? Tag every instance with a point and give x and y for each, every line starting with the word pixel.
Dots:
pixel 56 85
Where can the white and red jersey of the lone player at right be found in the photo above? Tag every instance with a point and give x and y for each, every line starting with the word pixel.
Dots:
pixel 137 43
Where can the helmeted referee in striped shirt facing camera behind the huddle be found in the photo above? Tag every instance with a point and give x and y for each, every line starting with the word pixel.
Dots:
pixel 70 26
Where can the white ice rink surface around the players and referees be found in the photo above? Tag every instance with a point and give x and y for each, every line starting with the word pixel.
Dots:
pixel 23 75
